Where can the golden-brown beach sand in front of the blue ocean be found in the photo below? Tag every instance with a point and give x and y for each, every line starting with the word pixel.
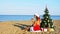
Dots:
pixel 16 27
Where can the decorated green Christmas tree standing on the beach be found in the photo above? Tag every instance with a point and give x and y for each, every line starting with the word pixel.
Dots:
pixel 46 21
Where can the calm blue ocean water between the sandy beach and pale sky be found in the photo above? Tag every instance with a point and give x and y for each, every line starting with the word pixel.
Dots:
pixel 22 17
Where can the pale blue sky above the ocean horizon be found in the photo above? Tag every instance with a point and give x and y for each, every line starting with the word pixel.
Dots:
pixel 29 7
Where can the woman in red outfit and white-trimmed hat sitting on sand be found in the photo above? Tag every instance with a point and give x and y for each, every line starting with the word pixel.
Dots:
pixel 36 23
